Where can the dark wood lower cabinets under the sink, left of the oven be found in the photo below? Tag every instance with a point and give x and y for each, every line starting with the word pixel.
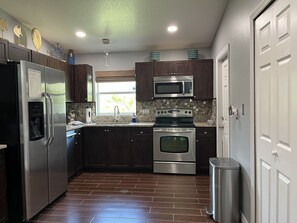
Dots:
pixel 118 147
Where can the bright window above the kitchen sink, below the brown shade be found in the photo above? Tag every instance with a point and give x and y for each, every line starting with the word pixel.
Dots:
pixel 120 93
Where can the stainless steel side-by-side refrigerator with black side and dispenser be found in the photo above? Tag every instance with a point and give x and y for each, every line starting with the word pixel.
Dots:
pixel 33 125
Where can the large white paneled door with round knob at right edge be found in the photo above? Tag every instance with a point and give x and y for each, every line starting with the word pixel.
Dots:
pixel 276 112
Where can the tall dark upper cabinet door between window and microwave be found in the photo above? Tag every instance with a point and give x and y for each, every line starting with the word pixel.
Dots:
pixel 144 81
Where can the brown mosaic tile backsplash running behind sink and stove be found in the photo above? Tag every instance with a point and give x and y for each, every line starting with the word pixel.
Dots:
pixel 145 111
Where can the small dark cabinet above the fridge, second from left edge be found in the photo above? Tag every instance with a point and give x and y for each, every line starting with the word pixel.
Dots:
pixel 17 53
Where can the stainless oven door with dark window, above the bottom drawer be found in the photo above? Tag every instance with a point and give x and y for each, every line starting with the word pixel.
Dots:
pixel 174 144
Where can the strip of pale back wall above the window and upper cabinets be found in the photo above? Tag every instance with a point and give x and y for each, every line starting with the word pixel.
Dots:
pixel 126 60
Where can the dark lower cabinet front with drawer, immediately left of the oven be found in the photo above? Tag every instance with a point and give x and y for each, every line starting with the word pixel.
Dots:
pixel 142 147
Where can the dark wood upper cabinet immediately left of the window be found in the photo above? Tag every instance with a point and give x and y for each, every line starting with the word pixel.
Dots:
pixel 83 83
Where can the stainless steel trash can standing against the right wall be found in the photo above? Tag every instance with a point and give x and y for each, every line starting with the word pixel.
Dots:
pixel 224 190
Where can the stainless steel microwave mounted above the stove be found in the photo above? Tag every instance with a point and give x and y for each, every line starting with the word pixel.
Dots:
pixel 173 86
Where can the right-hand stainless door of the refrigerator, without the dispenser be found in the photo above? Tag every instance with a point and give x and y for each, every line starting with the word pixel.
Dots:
pixel 57 152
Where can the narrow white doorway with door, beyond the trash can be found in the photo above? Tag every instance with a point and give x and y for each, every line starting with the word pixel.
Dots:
pixel 222 95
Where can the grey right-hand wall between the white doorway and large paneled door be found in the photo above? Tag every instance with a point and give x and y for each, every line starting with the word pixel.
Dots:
pixel 235 30
